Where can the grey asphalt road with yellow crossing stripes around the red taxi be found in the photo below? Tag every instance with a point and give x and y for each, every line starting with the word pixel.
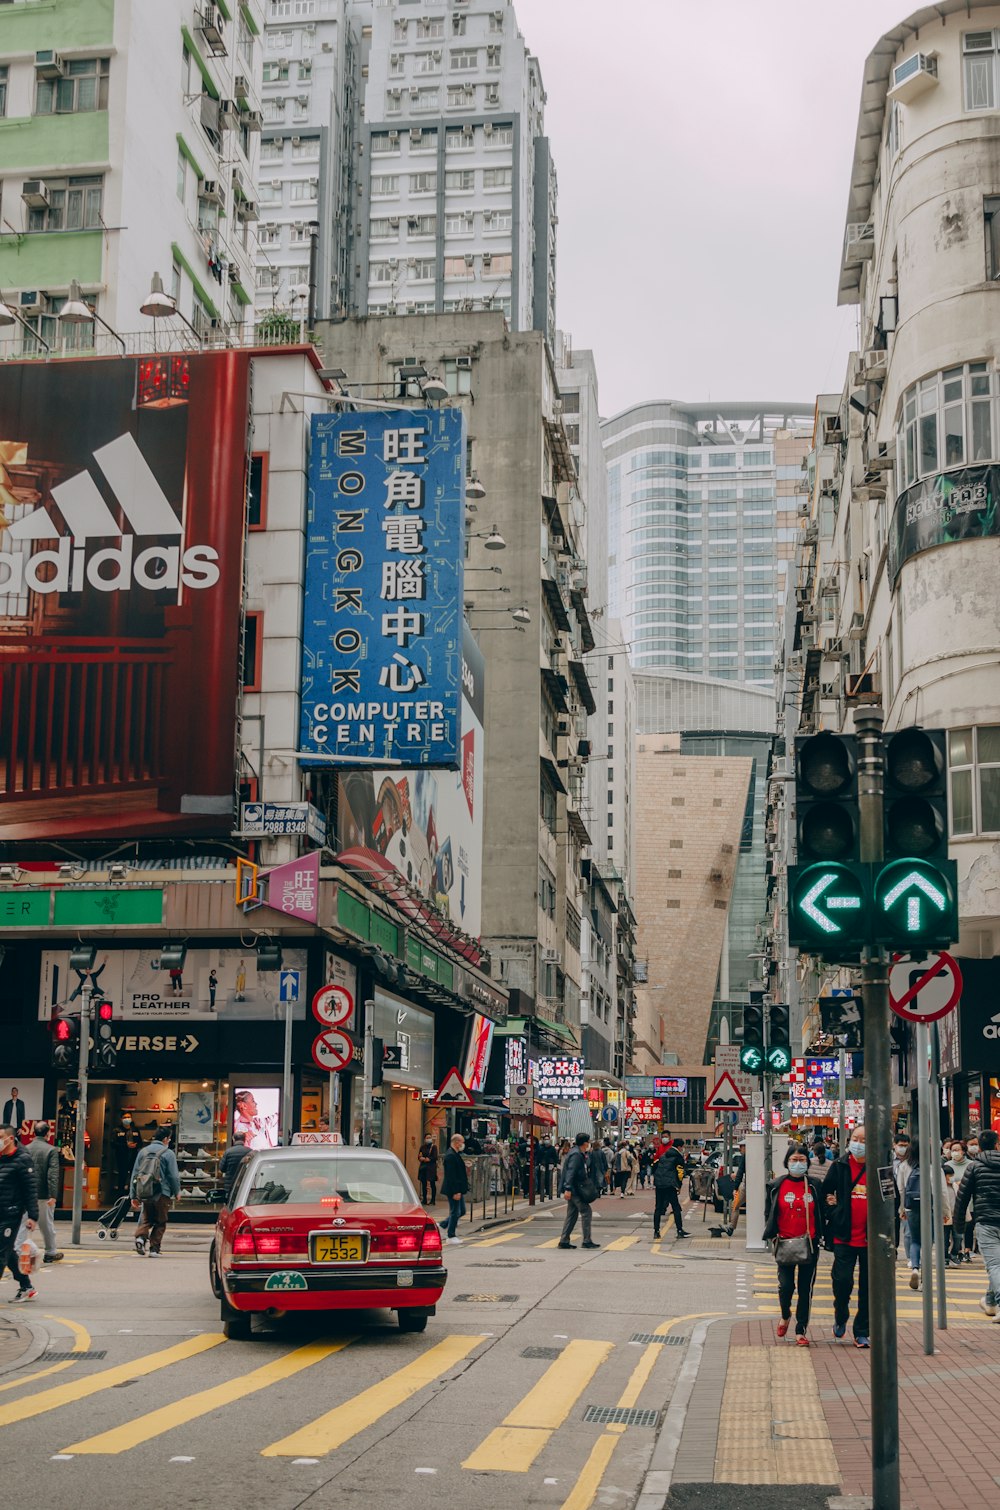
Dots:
pixel 486 1408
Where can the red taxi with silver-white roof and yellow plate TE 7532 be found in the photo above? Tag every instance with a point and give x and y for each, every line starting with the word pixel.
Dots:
pixel 326 1228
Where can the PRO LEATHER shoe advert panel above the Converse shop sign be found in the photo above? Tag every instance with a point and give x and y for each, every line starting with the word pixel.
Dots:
pixel 215 985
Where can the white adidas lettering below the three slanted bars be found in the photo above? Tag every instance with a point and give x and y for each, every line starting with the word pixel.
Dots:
pixel 67 569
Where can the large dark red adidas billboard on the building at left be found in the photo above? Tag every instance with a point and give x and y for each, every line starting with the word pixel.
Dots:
pixel 122 579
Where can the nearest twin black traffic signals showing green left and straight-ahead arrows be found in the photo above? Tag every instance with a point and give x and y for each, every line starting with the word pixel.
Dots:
pixel 907 902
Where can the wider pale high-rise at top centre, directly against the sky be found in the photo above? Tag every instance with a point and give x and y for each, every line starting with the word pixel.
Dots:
pixel 457 188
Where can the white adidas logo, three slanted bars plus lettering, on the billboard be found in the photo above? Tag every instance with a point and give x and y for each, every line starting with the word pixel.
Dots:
pixel 114 569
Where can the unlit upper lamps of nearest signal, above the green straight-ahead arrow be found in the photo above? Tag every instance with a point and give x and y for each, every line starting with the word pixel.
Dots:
pixel 916 803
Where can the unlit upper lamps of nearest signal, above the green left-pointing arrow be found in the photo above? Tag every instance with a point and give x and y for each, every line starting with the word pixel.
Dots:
pixel 829 824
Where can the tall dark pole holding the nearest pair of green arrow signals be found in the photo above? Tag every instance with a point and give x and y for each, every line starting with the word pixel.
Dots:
pixel 878 1117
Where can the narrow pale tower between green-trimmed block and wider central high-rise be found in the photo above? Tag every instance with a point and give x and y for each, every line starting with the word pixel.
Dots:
pixel 307 159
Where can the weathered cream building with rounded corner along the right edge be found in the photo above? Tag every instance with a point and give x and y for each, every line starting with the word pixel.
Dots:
pixel 898 564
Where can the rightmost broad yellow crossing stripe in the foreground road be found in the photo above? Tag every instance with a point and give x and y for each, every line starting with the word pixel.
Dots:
pixel 513 1447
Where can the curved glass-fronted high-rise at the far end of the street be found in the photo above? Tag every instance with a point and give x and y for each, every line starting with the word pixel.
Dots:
pixel 703 511
